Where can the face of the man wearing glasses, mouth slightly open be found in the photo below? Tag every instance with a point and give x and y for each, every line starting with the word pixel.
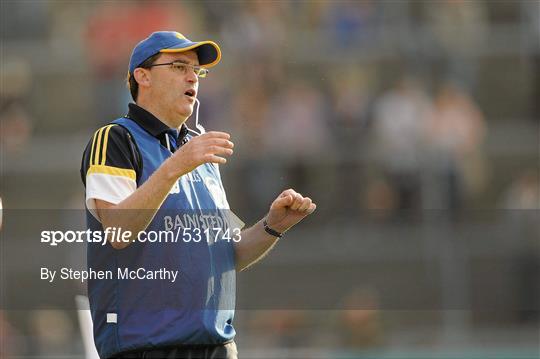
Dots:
pixel 173 89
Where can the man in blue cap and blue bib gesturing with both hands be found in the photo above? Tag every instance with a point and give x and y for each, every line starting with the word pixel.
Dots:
pixel 146 172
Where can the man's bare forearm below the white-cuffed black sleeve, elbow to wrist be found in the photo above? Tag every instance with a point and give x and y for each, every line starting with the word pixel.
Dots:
pixel 135 213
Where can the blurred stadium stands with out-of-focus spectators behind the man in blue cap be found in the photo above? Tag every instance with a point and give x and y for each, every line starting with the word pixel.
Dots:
pixel 414 125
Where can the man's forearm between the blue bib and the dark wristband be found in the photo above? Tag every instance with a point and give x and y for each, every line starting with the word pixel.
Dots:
pixel 255 243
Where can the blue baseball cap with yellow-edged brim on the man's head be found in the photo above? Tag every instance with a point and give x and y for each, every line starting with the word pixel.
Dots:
pixel 208 52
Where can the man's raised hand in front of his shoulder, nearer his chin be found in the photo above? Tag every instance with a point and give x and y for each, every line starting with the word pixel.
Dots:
pixel 206 148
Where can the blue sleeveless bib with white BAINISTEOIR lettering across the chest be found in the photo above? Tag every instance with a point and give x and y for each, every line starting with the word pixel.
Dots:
pixel 198 307
